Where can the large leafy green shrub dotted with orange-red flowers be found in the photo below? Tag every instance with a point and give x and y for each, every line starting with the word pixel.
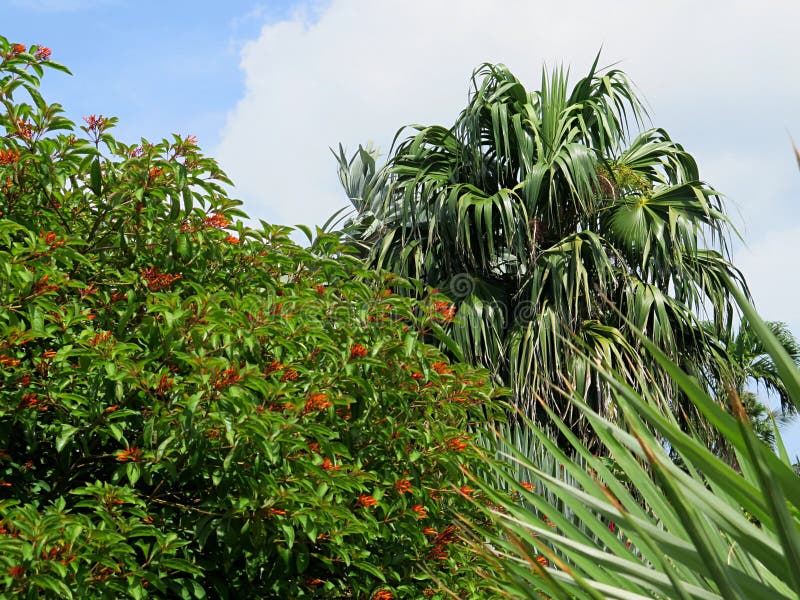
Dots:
pixel 192 408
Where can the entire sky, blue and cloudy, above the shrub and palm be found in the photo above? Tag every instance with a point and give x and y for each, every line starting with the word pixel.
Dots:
pixel 269 87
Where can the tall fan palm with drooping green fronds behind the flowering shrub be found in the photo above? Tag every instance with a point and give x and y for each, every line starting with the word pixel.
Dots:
pixel 558 231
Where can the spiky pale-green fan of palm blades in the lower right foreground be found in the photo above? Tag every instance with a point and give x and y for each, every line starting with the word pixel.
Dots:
pixel 654 524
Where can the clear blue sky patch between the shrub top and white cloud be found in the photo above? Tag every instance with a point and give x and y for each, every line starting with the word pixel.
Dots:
pixel 160 66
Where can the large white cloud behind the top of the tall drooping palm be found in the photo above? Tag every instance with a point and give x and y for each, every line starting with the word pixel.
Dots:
pixel 362 69
